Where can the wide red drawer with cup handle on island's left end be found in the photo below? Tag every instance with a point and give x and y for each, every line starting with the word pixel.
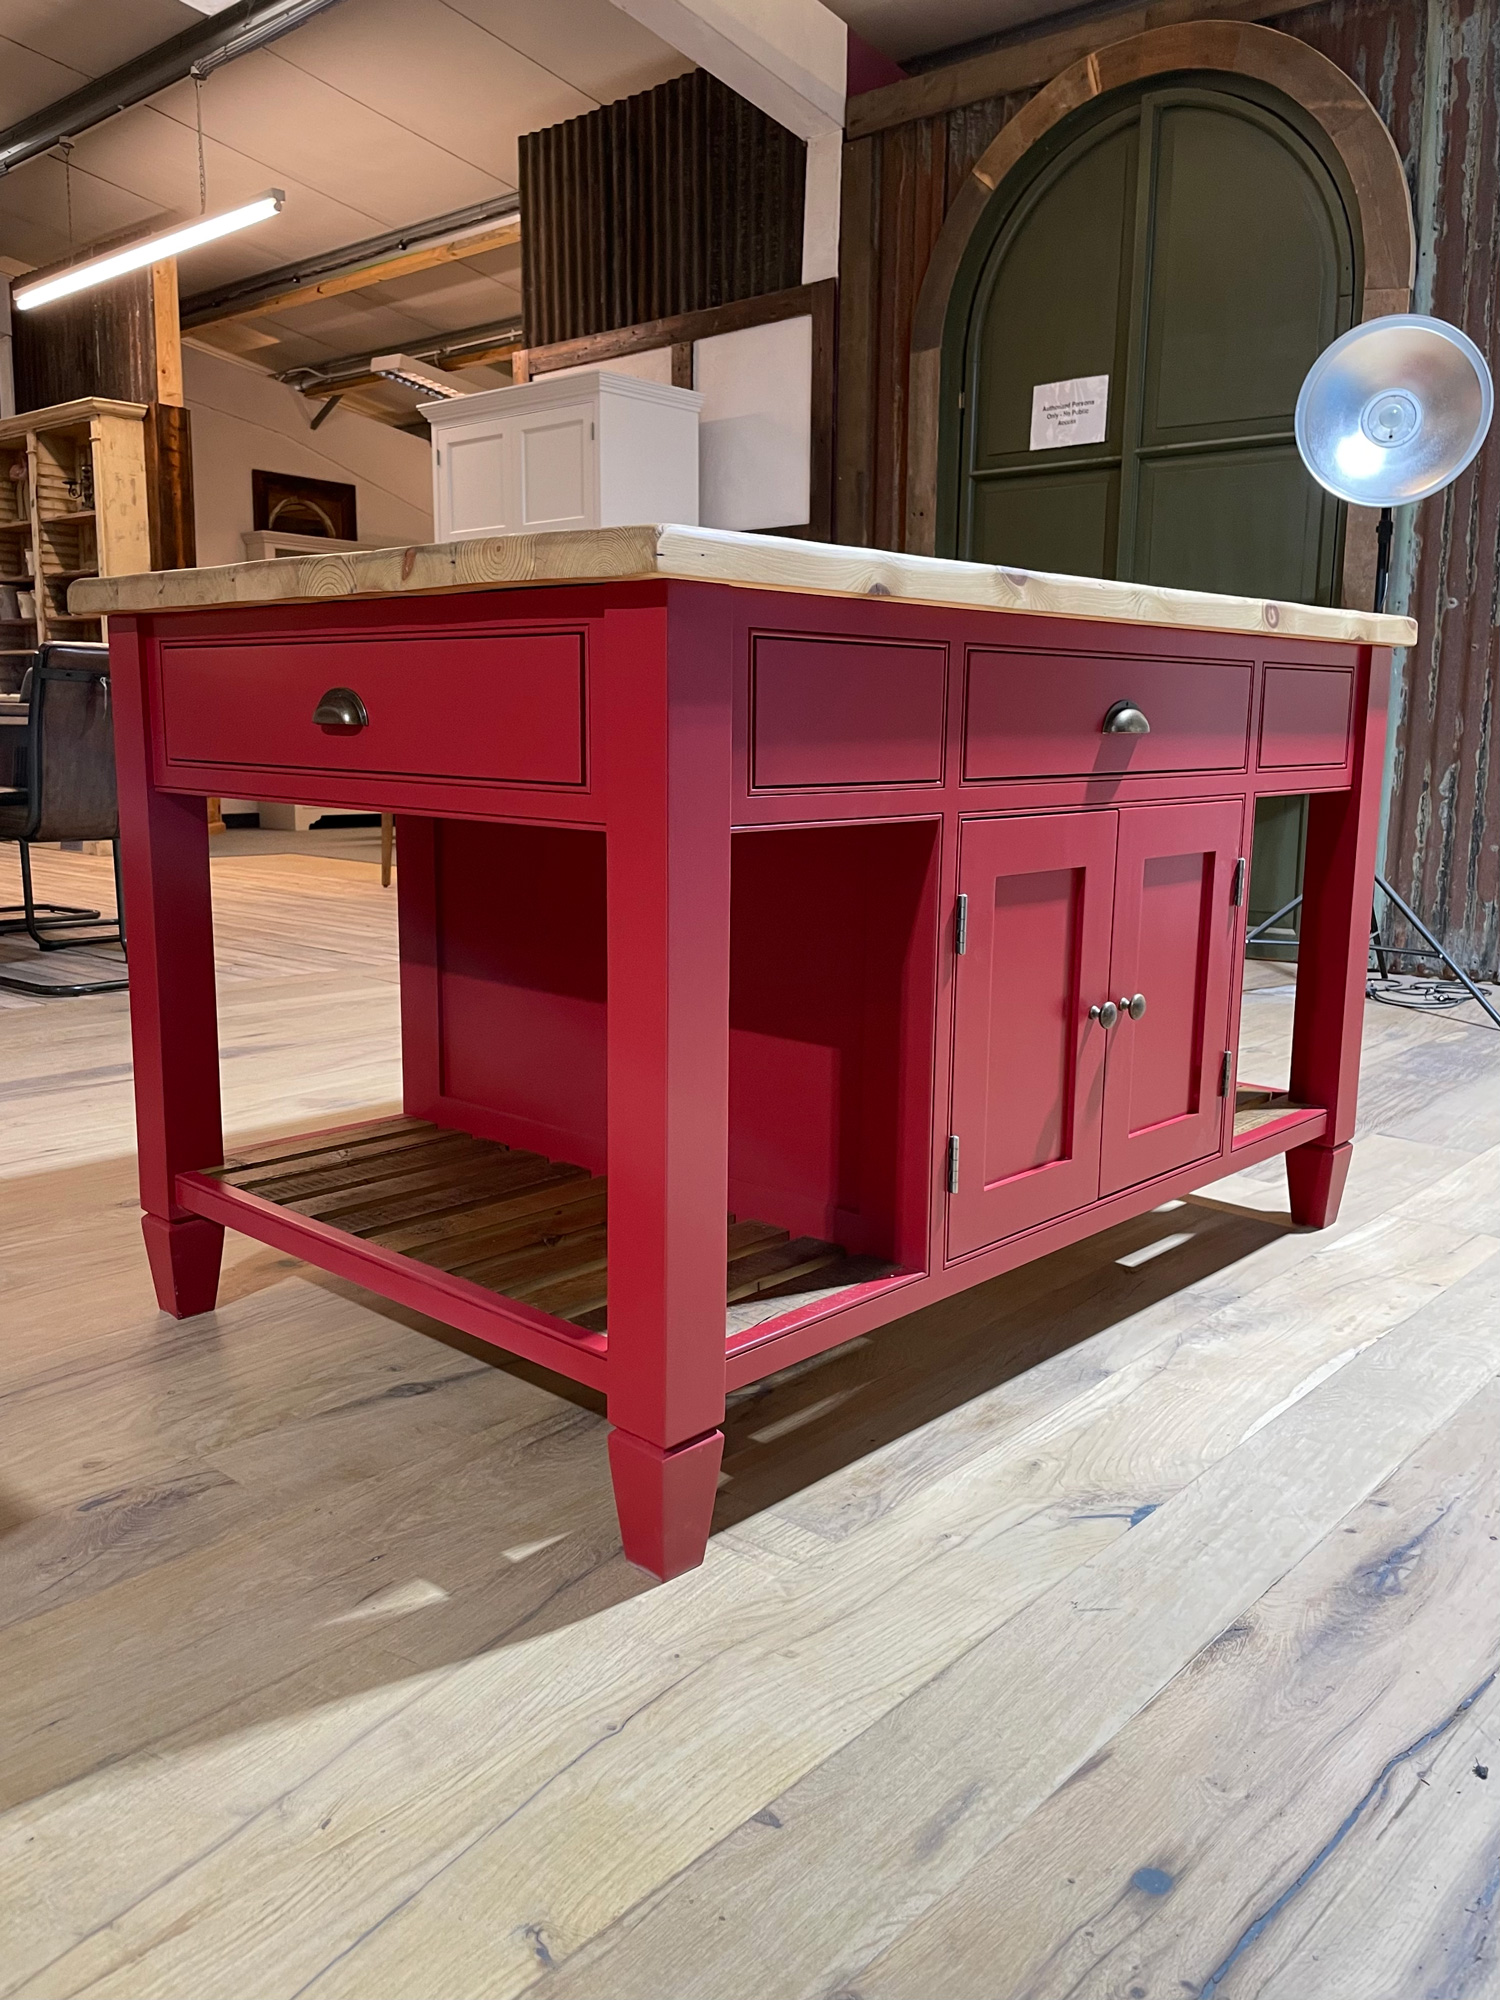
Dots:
pixel 501 709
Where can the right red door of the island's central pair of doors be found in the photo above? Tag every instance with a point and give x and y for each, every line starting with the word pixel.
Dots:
pixel 1173 945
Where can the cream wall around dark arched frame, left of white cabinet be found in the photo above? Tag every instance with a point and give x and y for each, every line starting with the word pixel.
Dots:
pixel 245 421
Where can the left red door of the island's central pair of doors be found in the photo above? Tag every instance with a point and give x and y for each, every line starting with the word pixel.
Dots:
pixel 1029 1063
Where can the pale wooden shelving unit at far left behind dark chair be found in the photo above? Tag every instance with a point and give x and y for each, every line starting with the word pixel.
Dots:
pixel 73 503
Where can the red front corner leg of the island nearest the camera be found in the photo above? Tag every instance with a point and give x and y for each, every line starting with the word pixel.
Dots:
pixel 667 689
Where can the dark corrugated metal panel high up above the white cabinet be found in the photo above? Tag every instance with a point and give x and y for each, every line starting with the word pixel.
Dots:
pixel 673 201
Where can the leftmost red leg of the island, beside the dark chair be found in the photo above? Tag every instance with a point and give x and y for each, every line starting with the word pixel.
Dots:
pixel 173 1003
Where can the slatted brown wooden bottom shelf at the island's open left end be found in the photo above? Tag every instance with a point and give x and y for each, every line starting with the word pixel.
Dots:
pixel 517 1223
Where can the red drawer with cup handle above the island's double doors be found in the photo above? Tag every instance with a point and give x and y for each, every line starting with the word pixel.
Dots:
pixel 1041 715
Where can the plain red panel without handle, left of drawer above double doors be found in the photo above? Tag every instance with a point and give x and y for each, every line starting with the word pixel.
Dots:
pixel 835 713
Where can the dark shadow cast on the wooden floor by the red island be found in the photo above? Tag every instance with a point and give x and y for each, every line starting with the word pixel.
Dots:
pixel 297 1503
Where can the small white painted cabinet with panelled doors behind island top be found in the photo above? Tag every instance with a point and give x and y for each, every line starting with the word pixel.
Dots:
pixel 573 451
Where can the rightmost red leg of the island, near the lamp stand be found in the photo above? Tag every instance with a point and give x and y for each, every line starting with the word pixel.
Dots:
pixel 1333 957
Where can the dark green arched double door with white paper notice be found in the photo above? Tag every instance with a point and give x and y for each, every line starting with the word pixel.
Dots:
pixel 1125 347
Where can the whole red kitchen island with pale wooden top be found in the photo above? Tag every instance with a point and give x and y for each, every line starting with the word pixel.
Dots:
pixel 847 929
